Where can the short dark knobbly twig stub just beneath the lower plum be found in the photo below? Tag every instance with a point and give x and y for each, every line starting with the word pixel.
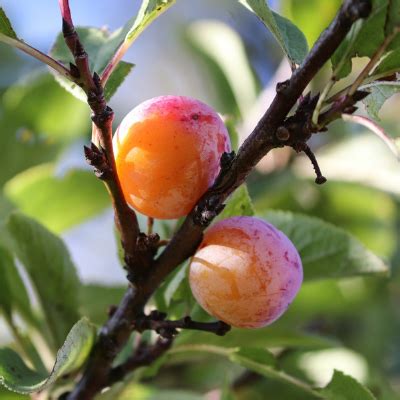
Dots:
pixel 166 328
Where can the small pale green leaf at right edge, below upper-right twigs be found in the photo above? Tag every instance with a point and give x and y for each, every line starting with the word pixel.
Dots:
pixel 380 92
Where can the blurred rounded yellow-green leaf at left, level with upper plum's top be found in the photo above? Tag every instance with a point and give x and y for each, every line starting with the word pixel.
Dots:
pixel 41 106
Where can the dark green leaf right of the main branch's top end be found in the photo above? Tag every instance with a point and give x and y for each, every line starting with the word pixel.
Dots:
pixel 368 39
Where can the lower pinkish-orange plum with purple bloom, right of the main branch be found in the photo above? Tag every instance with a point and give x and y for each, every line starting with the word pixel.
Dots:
pixel 246 272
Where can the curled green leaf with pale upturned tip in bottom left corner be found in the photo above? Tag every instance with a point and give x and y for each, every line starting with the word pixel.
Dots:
pixel 16 376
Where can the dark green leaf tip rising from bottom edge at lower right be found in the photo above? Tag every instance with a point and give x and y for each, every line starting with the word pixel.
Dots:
pixel 344 387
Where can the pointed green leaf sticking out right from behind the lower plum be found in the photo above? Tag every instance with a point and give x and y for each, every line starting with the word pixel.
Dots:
pixel 325 250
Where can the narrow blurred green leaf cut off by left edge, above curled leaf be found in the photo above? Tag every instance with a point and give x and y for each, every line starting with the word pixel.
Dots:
pixel 13 295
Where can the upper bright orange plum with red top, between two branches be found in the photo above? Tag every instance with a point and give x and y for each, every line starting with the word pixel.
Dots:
pixel 167 153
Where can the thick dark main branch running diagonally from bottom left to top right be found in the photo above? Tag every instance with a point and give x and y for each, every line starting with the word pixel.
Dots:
pixel 234 170
